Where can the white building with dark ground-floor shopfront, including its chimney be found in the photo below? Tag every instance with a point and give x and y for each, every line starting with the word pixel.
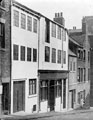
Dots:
pixel 53 64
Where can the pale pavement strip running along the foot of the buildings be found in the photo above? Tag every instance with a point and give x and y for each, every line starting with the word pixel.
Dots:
pixel 23 115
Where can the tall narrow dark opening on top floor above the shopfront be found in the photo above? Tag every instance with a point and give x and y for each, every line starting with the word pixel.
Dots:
pixel 47 31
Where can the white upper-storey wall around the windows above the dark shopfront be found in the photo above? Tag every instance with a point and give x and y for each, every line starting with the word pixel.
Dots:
pixel 54 43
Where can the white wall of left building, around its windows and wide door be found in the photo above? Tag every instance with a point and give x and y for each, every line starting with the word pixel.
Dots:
pixel 24 69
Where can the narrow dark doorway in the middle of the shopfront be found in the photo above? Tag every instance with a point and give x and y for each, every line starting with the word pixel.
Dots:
pixel 52 95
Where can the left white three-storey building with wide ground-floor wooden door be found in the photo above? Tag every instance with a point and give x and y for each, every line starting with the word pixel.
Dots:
pixel 24 48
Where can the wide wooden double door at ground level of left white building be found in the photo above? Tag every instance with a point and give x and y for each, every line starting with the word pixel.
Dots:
pixel 19 96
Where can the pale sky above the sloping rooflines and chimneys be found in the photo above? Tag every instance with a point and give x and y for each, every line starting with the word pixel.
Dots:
pixel 73 10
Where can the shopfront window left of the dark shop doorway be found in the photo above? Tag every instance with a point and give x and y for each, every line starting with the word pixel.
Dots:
pixel 44 90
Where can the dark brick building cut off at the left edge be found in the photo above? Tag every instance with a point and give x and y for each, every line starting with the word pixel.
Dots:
pixel 4 59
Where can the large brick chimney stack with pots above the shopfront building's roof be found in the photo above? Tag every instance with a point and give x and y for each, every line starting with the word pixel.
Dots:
pixel 59 18
